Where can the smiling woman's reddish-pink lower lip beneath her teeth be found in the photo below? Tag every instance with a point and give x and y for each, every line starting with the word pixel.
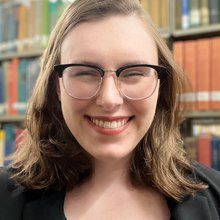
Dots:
pixel 109 131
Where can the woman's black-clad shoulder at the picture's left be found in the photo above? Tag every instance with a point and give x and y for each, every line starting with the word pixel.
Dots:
pixel 18 202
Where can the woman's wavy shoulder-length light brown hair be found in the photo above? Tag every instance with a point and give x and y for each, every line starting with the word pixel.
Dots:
pixel 50 156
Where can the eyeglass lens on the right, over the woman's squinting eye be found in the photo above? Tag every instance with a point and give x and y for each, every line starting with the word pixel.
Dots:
pixel 138 82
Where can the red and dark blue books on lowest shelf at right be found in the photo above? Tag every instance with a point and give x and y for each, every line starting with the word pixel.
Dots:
pixel 204 145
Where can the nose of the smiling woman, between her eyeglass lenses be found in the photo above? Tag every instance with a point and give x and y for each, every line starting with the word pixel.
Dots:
pixel 109 96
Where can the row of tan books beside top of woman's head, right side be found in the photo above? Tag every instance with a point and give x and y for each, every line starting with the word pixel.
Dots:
pixel 159 11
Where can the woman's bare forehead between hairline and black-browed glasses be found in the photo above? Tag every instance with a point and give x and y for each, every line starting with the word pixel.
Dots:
pixel 113 38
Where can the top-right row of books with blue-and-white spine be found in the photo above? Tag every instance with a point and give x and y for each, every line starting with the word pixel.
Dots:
pixel 196 13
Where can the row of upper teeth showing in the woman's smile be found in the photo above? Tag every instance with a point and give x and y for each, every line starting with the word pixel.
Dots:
pixel 113 124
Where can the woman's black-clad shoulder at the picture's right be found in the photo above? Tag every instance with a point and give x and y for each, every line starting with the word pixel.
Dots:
pixel 204 204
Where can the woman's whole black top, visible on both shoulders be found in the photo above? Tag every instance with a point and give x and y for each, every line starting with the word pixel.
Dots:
pixel 18 203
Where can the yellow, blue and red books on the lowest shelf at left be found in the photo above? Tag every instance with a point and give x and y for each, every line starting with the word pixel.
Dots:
pixel 8 134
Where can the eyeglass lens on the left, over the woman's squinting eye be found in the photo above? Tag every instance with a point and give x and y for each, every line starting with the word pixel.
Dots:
pixel 81 81
